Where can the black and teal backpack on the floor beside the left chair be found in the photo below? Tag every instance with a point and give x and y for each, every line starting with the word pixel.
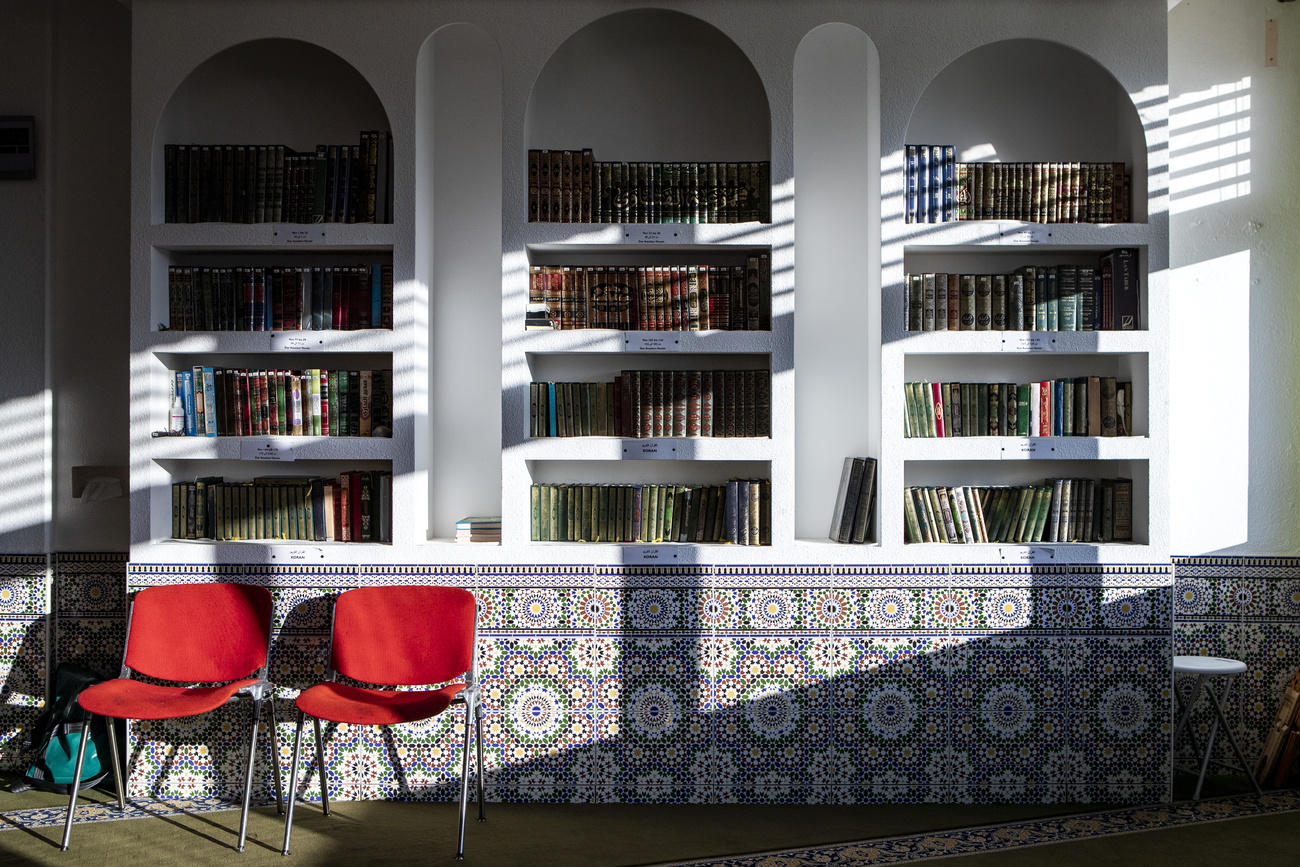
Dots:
pixel 58 732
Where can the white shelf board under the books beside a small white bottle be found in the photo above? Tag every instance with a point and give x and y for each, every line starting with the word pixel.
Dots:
pixel 288 449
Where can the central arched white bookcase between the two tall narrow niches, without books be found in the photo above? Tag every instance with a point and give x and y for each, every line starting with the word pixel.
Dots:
pixel 684 93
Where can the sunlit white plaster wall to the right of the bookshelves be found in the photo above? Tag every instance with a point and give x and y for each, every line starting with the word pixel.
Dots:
pixel 1236 259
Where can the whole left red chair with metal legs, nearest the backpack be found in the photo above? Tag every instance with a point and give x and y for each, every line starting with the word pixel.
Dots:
pixel 189 634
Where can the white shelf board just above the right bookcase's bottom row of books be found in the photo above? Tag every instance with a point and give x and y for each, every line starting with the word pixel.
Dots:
pixel 1026 449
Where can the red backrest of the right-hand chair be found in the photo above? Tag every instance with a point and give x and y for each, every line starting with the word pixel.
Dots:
pixel 404 635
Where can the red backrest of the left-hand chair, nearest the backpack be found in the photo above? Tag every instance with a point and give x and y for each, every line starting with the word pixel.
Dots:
pixel 200 632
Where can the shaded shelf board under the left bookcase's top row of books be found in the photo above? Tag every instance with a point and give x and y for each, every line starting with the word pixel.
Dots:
pixel 271 236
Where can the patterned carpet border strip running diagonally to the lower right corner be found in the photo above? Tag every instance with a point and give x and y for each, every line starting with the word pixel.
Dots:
pixel 1017 835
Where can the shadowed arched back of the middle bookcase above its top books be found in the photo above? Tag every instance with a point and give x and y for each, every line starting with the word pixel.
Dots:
pixel 651 85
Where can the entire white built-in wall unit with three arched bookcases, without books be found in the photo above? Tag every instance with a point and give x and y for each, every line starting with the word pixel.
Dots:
pixel 469 93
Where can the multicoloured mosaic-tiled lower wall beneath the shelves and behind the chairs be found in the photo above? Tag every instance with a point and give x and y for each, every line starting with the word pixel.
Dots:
pixel 761 684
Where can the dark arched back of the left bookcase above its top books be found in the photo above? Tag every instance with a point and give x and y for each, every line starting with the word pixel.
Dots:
pixel 267 92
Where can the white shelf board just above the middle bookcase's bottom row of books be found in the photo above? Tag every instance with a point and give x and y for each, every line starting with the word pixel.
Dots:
pixel 645 449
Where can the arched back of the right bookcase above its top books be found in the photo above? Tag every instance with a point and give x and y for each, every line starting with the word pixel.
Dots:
pixel 1034 101
